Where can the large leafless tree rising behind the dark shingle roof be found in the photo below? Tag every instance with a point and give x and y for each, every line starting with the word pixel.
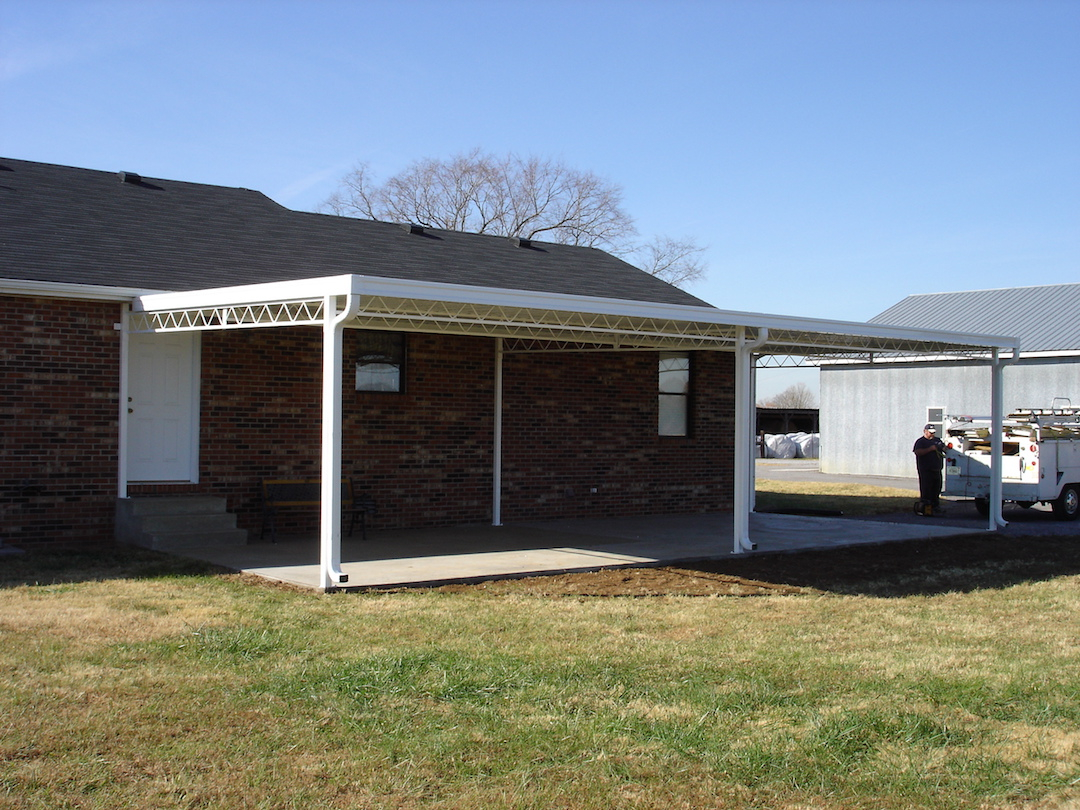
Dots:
pixel 515 197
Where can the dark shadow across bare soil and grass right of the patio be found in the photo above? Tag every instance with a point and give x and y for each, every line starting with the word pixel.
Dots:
pixel 916 568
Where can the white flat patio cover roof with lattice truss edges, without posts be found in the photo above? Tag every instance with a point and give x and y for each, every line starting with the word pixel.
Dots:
pixel 531 316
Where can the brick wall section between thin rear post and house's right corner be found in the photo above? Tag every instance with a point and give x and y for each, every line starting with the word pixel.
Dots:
pixel 582 440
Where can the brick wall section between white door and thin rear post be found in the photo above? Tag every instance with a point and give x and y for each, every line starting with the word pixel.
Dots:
pixel 426 454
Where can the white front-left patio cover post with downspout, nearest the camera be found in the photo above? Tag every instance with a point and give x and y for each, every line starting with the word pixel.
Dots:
pixel 330 560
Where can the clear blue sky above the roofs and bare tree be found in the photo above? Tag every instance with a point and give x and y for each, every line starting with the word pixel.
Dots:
pixel 834 156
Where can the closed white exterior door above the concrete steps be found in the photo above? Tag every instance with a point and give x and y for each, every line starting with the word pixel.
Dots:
pixel 164 408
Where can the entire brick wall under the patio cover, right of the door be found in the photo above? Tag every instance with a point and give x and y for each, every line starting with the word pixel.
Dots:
pixel 573 424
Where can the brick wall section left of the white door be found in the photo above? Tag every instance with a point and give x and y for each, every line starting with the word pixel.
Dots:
pixel 60 363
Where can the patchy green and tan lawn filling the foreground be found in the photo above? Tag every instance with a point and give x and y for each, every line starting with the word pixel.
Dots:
pixel 133 681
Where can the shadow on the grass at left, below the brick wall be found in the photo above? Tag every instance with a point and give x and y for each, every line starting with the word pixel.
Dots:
pixel 53 568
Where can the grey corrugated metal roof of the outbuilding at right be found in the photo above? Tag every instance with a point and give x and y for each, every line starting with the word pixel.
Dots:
pixel 1045 318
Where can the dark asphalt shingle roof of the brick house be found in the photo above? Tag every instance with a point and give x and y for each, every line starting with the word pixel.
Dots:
pixel 60 224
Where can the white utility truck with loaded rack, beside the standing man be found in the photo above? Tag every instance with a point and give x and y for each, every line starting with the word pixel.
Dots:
pixel 1041 460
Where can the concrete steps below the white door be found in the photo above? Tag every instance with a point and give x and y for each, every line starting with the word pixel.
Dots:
pixel 177 522
